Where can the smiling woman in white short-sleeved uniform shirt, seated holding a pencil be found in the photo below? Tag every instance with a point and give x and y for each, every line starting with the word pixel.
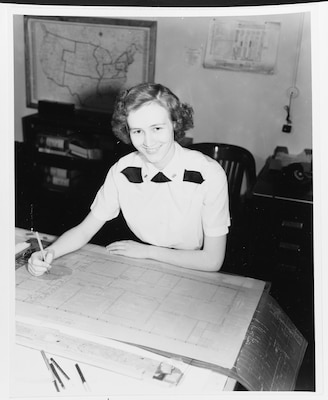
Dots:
pixel 183 220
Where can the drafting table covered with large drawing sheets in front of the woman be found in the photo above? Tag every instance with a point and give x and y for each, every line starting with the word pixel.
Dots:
pixel 202 323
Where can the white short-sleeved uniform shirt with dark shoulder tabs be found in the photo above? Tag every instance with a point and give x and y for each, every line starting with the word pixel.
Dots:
pixel 173 214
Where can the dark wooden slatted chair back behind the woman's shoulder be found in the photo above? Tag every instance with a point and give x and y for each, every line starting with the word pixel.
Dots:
pixel 238 163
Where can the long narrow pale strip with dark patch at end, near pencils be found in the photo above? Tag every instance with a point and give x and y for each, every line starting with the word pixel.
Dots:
pixel 93 352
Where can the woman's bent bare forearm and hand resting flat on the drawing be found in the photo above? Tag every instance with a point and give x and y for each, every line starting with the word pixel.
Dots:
pixel 209 258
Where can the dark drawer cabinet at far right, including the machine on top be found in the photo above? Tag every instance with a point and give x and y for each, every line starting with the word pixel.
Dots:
pixel 281 244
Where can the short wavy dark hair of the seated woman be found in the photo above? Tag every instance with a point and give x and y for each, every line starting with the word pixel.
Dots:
pixel 130 100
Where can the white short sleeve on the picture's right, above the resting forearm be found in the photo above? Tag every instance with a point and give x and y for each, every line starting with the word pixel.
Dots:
pixel 215 213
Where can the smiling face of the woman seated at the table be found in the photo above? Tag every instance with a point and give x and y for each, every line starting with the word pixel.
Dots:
pixel 152 133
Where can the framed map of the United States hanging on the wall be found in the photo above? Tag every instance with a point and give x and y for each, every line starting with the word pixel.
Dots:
pixel 86 61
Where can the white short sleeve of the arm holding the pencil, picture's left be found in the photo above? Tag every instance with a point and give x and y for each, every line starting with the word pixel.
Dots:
pixel 106 203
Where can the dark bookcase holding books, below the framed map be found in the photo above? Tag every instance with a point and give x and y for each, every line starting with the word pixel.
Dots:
pixel 66 158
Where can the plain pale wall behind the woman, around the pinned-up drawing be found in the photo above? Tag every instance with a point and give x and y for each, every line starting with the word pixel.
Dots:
pixel 240 108
